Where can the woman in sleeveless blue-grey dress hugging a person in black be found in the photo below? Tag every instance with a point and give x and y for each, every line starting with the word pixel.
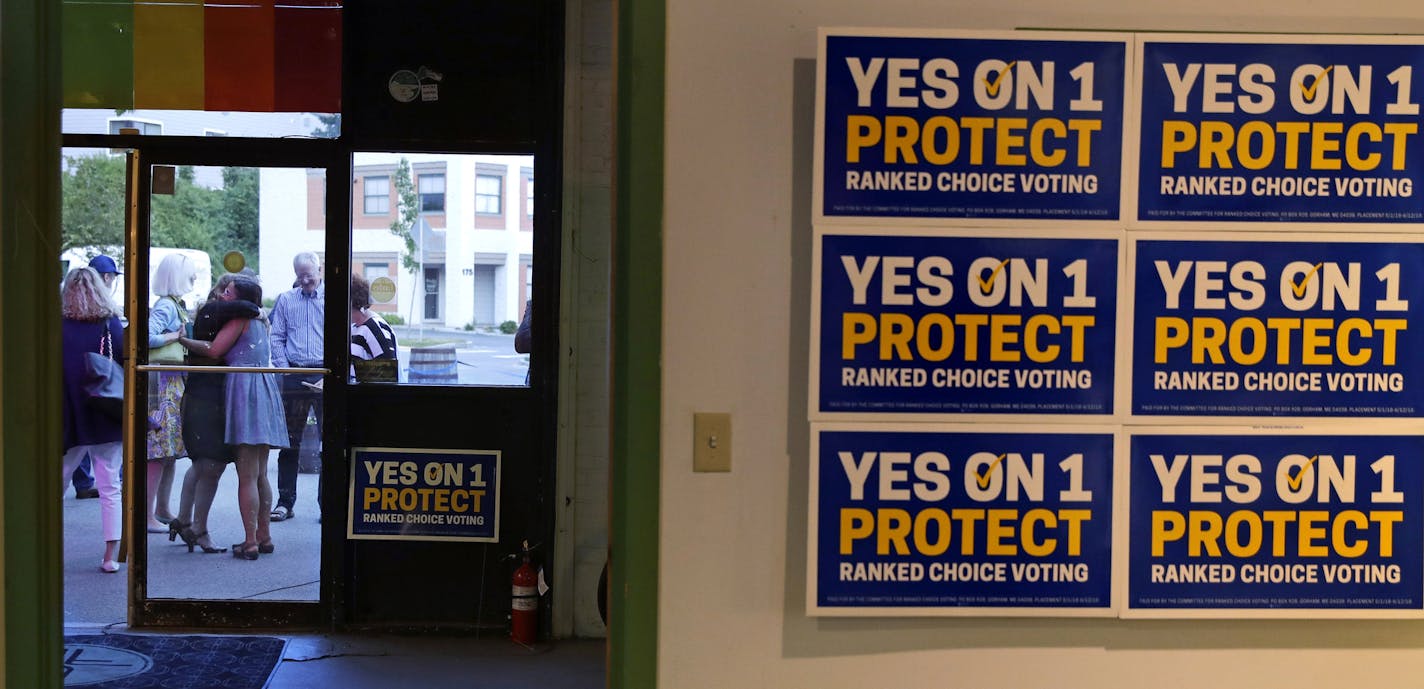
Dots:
pixel 257 422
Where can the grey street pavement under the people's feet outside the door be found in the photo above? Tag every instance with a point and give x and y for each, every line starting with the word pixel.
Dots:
pixel 290 574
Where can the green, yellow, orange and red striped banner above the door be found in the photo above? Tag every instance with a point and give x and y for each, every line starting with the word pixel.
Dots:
pixel 254 56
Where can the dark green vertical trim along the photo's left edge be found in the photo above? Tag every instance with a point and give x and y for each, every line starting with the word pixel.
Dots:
pixel 31 344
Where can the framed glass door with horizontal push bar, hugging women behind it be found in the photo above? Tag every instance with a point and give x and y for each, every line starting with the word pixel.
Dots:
pixel 230 340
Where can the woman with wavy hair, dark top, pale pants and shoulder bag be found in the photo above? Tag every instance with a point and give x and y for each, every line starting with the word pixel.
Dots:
pixel 92 325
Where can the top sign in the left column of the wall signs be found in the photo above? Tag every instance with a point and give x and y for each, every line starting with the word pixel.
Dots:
pixel 972 127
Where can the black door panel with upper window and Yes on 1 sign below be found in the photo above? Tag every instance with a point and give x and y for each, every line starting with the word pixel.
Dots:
pixel 452 398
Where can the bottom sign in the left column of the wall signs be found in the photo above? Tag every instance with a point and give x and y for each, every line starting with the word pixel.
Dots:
pixel 986 520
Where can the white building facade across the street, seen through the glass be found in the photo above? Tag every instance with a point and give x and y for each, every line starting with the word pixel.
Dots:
pixel 475 234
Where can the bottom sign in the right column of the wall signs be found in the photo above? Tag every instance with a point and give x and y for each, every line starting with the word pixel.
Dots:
pixel 1274 522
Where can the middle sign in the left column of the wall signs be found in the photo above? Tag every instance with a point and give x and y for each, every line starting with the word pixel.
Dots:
pixel 931 324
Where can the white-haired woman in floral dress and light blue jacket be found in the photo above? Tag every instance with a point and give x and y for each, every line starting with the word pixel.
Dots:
pixel 173 280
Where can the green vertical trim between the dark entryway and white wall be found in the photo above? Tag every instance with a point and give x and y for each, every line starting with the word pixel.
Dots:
pixel 637 347
